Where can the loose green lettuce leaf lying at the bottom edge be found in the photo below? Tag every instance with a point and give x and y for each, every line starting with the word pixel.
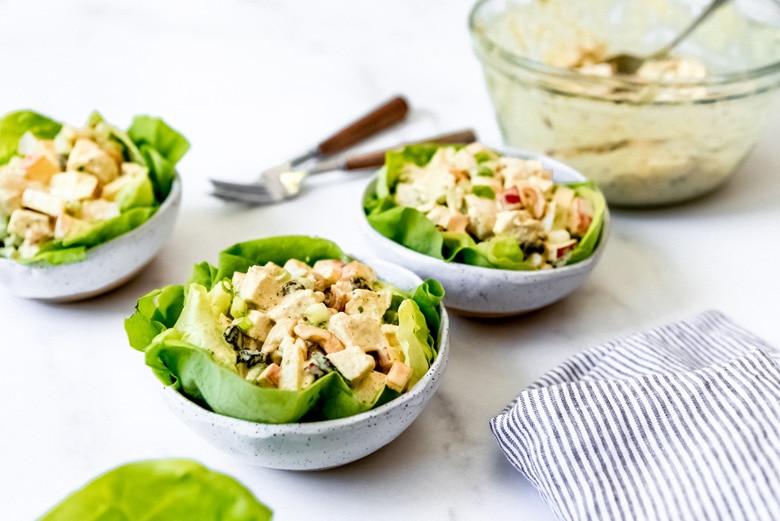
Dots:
pixel 161 490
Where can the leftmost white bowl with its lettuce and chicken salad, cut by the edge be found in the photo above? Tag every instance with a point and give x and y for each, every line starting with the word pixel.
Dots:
pixel 70 197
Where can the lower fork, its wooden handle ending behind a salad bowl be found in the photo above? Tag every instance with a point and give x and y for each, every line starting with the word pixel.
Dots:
pixel 292 179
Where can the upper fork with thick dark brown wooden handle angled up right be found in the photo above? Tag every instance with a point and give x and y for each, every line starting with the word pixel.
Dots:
pixel 271 186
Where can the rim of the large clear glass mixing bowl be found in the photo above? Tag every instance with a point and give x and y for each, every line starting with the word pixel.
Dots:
pixel 560 73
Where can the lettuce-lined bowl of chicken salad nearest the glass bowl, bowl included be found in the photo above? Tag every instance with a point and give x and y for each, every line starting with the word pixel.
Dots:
pixel 505 232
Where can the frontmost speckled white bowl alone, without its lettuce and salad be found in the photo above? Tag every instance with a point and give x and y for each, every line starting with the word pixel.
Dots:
pixel 324 444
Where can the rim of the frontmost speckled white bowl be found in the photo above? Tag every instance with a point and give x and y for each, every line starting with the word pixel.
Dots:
pixel 247 427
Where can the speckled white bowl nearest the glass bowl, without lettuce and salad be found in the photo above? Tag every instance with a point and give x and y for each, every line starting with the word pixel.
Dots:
pixel 486 292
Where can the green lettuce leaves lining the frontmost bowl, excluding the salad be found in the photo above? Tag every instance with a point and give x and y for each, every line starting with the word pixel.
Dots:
pixel 176 329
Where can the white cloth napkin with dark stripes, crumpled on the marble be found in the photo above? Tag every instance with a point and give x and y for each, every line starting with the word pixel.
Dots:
pixel 676 423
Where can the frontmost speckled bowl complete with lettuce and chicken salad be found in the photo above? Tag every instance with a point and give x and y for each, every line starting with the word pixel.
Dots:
pixel 290 352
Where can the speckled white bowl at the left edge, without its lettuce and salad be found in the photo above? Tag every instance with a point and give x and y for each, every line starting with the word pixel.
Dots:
pixel 105 267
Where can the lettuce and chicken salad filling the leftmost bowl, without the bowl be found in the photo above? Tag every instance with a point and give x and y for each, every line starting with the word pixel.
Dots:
pixel 64 190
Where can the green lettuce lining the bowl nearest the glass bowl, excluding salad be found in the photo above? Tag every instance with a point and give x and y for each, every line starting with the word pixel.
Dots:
pixel 412 229
